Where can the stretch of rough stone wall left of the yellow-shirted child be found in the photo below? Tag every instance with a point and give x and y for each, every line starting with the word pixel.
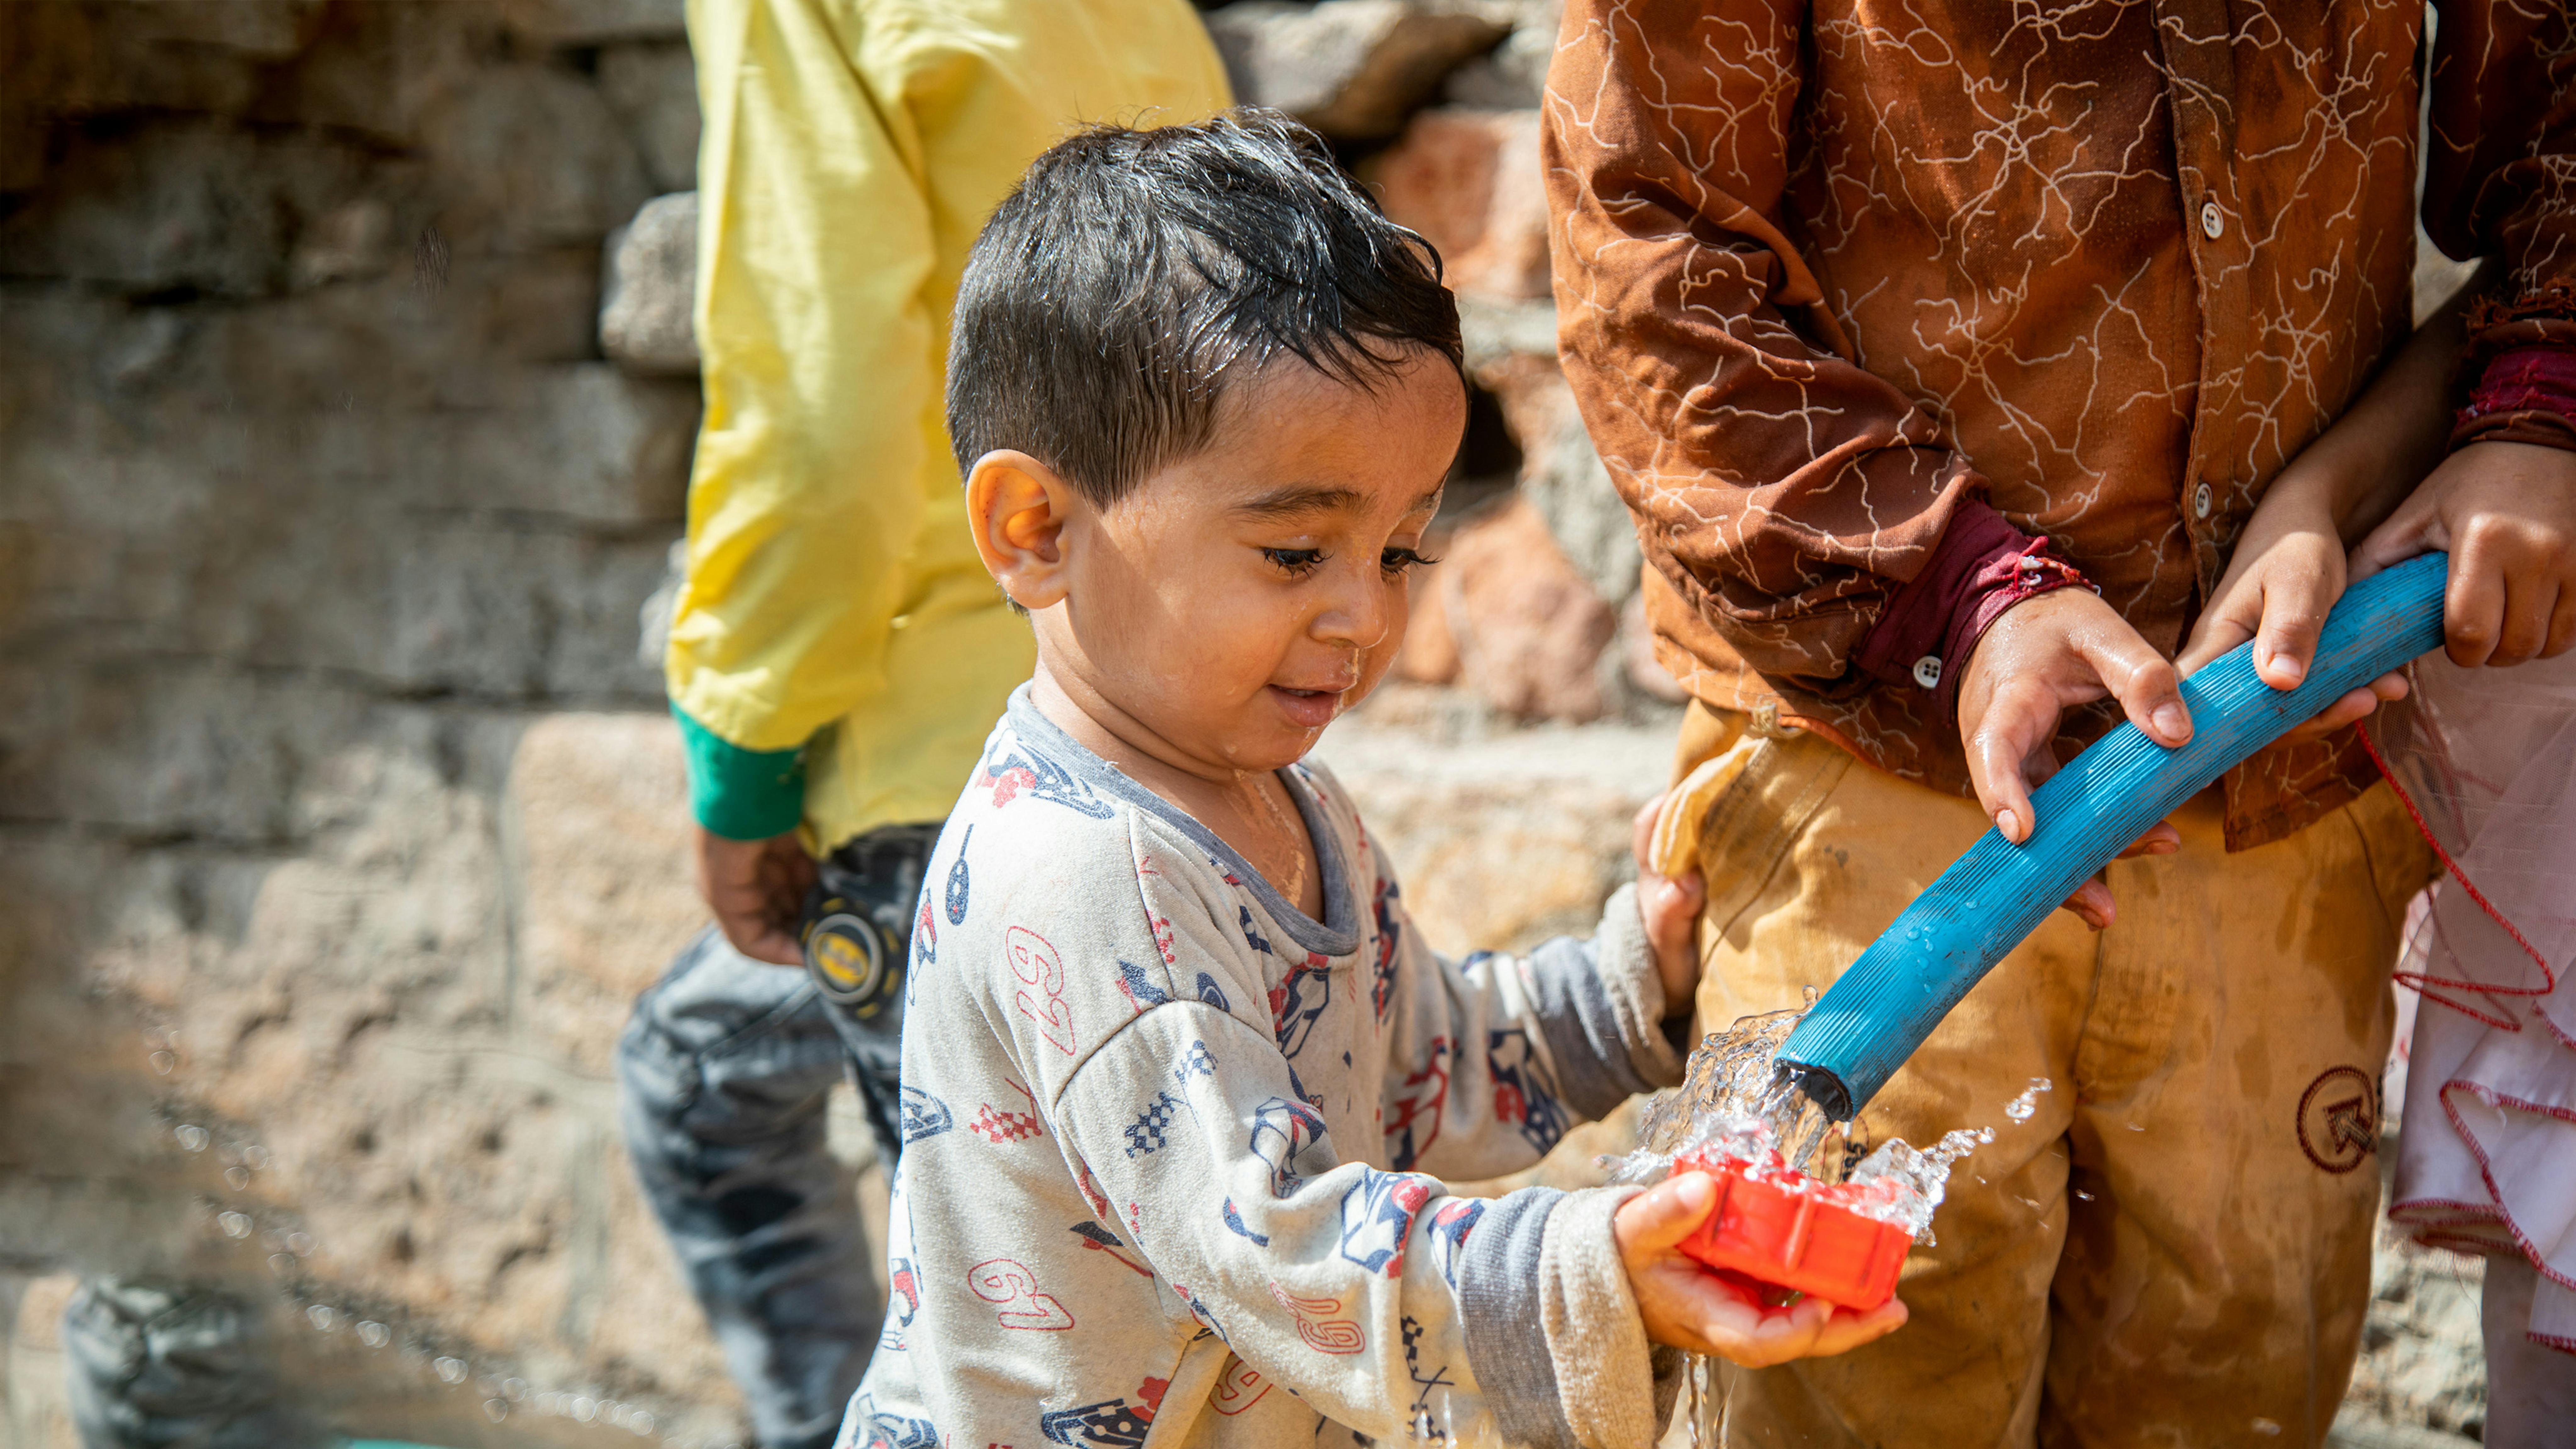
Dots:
pixel 323 530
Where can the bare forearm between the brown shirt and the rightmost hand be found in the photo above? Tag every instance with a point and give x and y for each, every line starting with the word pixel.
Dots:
pixel 2392 437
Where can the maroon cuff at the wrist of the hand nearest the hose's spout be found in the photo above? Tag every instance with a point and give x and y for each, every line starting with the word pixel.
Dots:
pixel 1980 569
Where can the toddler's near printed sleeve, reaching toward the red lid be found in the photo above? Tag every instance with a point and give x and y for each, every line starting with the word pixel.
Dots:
pixel 1379 1298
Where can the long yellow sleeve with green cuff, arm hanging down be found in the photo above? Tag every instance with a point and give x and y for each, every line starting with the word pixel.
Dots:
pixel 818 365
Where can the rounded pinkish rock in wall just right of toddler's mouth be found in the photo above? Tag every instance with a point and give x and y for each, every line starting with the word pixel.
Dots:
pixel 1529 628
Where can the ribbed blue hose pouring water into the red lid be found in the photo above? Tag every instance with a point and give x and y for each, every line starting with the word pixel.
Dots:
pixel 1998 893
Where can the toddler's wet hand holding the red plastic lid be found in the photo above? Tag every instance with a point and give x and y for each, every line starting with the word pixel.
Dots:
pixel 1691 1308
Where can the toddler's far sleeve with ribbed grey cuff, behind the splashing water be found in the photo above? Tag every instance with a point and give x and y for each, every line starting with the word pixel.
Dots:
pixel 1495 1058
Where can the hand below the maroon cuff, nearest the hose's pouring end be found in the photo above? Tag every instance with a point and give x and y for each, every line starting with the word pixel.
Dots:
pixel 2039 659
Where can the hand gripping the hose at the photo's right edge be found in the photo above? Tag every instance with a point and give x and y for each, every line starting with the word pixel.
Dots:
pixel 2508 514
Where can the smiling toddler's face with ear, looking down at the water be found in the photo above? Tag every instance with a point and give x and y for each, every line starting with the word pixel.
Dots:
pixel 1240 599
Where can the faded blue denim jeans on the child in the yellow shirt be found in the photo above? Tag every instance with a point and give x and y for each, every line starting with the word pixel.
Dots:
pixel 723 1082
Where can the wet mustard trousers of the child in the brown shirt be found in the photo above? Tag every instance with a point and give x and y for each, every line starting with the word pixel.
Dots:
pixel 2175 1247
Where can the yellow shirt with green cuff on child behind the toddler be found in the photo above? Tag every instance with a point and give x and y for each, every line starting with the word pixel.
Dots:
pixel 833 599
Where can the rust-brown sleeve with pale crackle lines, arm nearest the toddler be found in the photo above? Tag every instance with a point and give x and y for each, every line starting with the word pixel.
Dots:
pixel 1784 491
